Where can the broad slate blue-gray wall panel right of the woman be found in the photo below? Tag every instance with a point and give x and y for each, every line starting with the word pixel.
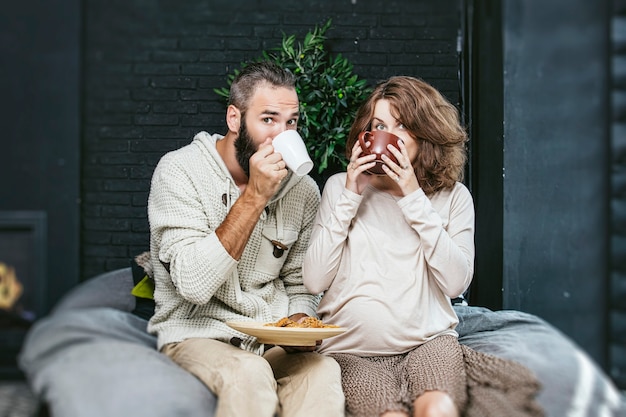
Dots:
pixel 555 170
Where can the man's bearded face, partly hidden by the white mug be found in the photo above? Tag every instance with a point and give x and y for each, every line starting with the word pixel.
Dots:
pixel 271 111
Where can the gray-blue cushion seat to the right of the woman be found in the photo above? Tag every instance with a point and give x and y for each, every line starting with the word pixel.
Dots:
pixel 572 384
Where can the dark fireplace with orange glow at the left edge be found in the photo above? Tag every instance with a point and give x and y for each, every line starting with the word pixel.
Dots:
pixel 22 281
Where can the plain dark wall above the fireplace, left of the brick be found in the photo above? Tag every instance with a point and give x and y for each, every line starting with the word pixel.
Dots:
pixel 40 114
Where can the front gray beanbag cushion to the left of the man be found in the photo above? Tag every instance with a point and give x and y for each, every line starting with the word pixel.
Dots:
pixel 101 362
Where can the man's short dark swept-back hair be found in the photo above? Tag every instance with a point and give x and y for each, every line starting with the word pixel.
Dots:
pixel 254 74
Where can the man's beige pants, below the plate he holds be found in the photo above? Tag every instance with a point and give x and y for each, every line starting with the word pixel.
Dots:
pixel 247 385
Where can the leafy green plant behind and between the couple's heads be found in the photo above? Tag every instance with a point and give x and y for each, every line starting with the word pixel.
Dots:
pixel 329 93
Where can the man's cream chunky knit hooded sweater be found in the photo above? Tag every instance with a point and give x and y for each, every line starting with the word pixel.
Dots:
pixel 191 194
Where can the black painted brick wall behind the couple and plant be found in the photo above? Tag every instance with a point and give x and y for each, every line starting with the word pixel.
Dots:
pixel 150 68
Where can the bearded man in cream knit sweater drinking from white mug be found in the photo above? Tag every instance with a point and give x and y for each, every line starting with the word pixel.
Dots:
pixel 229 227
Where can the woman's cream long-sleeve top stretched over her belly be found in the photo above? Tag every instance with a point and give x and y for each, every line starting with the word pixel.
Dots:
pixel 389 265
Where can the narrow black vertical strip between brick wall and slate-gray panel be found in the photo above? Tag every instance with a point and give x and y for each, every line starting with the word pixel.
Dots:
pixel 485 112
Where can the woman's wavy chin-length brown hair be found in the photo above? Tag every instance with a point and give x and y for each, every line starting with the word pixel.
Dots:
pixel 430 119
